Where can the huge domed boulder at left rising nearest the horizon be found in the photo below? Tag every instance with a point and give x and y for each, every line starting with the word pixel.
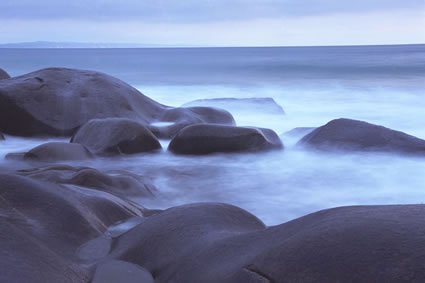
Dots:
pixel 57 101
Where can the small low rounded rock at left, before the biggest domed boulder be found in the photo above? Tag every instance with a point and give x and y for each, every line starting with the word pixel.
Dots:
pixel 58 151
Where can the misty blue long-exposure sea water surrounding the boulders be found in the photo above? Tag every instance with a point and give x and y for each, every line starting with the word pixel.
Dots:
pixel 379 84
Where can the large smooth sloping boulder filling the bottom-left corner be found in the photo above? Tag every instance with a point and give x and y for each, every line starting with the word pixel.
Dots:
pixel 43 224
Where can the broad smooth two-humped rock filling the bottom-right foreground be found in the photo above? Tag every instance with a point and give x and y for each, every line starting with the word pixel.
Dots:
pixel 221 243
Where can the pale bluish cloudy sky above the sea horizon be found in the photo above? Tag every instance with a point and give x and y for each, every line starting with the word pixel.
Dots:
pixel 215 22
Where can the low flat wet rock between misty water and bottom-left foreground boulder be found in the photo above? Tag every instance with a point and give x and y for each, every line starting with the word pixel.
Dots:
pixel 119 183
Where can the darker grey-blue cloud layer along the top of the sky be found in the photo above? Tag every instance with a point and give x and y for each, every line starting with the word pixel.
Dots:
pixel 191 11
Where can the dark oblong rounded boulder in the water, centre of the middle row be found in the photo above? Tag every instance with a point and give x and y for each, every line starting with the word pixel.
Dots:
pixel 211 138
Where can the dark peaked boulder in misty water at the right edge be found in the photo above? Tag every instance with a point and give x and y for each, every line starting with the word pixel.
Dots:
pixel 353 135
